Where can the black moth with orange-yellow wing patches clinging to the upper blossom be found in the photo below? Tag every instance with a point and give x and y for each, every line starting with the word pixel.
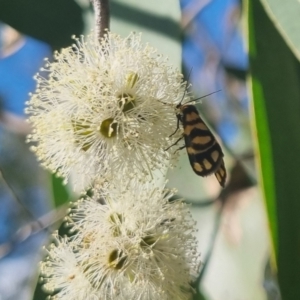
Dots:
pixel 204 152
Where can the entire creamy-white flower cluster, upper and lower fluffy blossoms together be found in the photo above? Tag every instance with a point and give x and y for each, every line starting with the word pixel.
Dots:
pixel 105 116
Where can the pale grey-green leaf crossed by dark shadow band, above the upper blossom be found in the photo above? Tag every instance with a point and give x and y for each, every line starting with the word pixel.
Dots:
pixel 159 21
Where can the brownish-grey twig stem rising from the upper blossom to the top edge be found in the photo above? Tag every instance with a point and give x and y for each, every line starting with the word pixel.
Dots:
pixel 101 8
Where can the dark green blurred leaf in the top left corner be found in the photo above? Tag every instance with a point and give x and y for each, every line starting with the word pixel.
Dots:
pixel 52 21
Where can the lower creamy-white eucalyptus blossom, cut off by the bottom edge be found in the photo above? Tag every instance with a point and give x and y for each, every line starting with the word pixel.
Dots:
pixel 131 243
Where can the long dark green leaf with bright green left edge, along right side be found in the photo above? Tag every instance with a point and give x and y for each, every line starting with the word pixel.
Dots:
pixel 276 102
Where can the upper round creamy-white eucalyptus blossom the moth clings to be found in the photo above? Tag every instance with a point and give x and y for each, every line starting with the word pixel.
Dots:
pixel 105 108
